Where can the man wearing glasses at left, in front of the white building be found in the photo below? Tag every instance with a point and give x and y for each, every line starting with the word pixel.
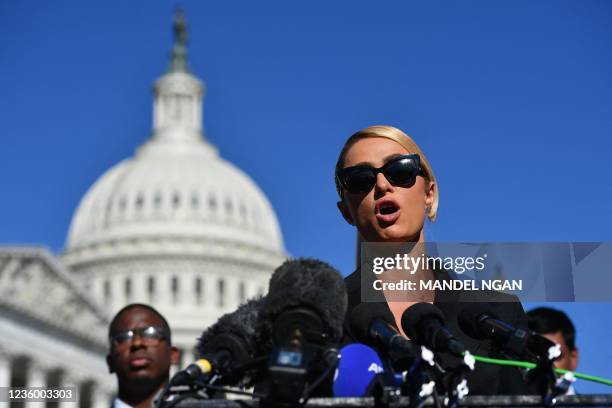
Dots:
pixel 140 354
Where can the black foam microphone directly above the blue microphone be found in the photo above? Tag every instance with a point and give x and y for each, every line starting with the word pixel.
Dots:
pixel 368 322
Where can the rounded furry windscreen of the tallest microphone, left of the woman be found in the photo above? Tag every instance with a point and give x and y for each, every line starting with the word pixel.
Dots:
pixel 306 283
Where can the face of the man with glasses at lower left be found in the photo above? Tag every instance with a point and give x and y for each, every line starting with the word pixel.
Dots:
pixel 140 359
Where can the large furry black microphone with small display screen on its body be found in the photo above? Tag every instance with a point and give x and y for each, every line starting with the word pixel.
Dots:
pixel 301 321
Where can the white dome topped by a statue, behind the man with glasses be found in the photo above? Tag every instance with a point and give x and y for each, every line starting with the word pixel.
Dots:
pixel 176 226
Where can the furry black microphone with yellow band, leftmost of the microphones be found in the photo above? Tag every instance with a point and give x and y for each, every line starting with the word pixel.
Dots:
pixel 225 346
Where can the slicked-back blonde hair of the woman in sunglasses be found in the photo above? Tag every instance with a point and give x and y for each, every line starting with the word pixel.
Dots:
pixel 392 133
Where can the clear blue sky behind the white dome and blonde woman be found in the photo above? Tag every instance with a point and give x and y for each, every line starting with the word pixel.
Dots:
pixel 511 101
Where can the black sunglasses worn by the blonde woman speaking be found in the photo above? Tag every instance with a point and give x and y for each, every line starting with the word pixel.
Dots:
pixel 400 171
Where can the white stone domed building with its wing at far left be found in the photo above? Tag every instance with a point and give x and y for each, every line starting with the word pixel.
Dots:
pixel 175 226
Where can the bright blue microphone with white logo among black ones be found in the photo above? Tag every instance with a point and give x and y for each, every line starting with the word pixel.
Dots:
pixel 358 367
